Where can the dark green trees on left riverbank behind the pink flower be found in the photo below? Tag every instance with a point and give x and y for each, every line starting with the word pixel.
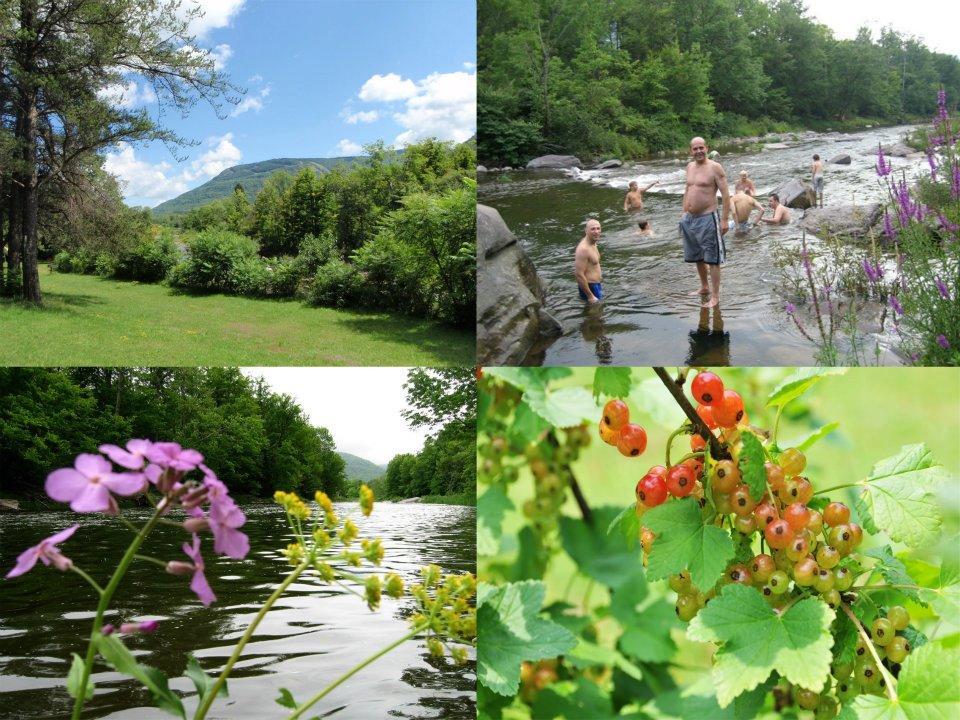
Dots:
pixel 256 440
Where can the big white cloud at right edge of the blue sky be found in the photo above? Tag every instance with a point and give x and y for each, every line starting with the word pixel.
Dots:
pixel 445 107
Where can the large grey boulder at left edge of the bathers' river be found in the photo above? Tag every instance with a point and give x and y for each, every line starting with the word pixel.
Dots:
pixel 510 314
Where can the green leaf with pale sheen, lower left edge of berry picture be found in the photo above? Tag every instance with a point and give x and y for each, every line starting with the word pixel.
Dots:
pixel 511 631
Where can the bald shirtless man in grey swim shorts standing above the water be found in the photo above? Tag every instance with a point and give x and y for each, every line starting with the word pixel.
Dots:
pixel 700 225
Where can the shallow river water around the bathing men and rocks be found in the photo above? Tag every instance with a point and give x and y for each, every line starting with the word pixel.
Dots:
pixel 648 316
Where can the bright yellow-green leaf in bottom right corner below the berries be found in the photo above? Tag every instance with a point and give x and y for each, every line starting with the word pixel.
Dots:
pixel 927 688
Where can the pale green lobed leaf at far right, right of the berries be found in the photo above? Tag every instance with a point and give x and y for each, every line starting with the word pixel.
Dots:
pixel 899 496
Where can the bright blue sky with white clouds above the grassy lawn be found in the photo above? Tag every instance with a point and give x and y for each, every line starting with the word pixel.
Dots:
pixel 323 77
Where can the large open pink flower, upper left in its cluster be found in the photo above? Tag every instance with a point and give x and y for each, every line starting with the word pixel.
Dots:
pixel 87 488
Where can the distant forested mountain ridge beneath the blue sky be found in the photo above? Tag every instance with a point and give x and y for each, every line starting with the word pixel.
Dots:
pixel 251 176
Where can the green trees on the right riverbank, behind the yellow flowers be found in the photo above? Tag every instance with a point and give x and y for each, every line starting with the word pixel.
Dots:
pixel 444 399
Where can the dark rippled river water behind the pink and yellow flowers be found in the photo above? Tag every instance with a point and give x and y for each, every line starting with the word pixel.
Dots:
pixel 311 636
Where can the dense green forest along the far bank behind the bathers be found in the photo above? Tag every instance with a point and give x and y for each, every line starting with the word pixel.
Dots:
pixel 630 77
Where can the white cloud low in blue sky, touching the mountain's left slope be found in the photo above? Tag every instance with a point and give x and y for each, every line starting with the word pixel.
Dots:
pixel 152 183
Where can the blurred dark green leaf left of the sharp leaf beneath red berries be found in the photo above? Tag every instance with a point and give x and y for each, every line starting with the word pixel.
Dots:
pixel 606 558
